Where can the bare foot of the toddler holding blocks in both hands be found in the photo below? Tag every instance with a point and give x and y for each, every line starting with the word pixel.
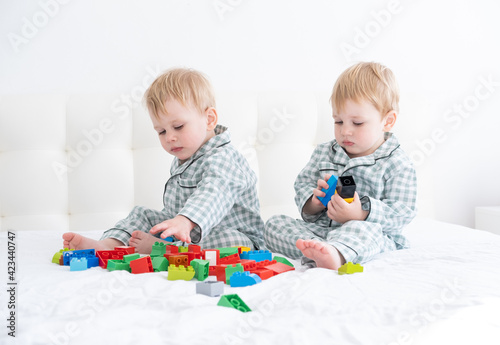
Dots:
pixel 324 254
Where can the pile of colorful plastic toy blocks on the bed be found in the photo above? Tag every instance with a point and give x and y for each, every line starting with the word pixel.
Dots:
pixel 236 266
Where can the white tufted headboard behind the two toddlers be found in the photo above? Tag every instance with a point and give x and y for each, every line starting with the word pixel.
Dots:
pixel 81 162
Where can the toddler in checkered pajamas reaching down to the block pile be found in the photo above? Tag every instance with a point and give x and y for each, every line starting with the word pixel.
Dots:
pixel 210 198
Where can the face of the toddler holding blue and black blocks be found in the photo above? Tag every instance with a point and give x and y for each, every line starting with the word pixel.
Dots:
pixel 359 128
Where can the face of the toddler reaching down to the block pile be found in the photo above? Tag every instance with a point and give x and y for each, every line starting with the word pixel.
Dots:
pixel 183 130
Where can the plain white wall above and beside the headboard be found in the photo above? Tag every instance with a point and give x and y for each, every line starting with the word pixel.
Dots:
pixel 445 54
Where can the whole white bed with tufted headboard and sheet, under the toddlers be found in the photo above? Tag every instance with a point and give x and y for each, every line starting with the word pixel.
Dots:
pixel 446 289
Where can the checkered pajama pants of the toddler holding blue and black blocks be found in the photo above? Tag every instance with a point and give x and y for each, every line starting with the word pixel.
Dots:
pixel 358 241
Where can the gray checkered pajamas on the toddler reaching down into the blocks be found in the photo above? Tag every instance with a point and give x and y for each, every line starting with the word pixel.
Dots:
pixel 215 189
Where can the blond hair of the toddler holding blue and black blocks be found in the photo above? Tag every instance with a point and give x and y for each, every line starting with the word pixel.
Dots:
pixel 367 81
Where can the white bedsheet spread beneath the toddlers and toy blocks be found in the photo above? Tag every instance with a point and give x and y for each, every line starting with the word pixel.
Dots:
pixel 445 289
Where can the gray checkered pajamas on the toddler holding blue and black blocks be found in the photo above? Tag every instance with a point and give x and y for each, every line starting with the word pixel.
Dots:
pixel 387 186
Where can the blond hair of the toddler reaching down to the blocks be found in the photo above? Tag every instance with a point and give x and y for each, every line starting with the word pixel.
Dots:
pixel 187 86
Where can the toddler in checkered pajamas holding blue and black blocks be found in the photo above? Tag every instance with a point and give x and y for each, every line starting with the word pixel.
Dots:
pixel 365 106
